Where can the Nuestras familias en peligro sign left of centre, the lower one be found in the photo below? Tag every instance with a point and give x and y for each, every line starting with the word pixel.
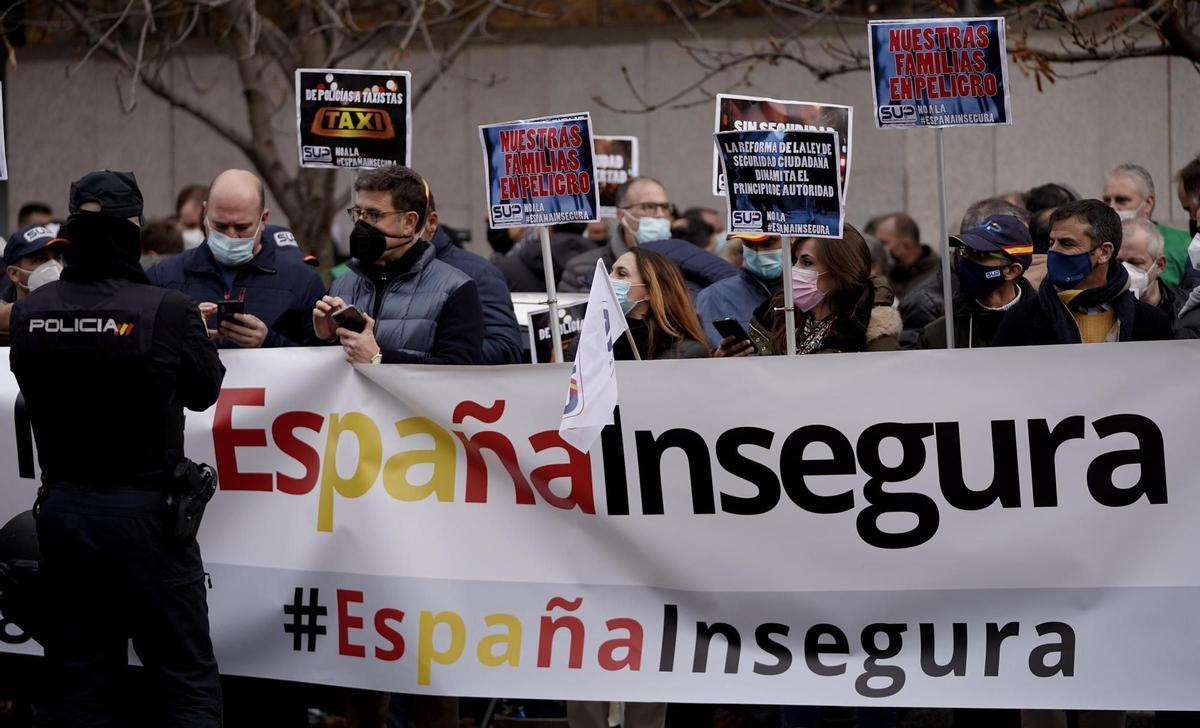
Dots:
pixel 539 172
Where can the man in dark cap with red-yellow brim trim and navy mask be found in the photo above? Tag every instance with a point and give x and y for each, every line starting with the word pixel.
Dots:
pixel 991 261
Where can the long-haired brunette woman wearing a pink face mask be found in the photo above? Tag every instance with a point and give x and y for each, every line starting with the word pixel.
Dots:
pixel 839 305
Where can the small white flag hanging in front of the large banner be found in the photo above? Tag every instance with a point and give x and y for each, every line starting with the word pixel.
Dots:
pixel 592 394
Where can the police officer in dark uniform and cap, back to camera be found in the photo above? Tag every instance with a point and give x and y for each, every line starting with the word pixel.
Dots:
pixel 107 365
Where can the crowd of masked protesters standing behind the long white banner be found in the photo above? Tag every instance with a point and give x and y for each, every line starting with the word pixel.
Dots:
pixel 1043 267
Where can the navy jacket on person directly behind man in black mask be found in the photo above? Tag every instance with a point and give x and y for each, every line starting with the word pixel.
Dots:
pixel 502 334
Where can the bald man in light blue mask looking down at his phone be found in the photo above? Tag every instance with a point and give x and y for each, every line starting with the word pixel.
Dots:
pixel 241 262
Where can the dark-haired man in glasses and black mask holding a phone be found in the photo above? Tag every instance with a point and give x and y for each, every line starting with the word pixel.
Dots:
pixel 417 309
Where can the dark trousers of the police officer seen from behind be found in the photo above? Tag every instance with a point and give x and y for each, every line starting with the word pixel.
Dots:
pixel 112 576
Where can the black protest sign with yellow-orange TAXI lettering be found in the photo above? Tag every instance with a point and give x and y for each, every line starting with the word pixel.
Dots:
pixel 353 118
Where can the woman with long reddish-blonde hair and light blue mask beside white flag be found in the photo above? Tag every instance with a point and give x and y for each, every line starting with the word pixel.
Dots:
pixel 659 312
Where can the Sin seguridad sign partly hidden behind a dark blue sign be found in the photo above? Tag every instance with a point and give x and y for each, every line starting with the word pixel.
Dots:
pixel 754 115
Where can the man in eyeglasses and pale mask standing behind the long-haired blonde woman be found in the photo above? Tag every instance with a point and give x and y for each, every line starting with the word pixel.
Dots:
pixel 644 219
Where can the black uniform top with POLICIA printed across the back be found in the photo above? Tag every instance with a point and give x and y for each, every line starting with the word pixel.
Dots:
pixel 107 369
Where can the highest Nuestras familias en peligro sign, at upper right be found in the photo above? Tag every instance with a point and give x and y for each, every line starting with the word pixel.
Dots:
pixel 946 73
